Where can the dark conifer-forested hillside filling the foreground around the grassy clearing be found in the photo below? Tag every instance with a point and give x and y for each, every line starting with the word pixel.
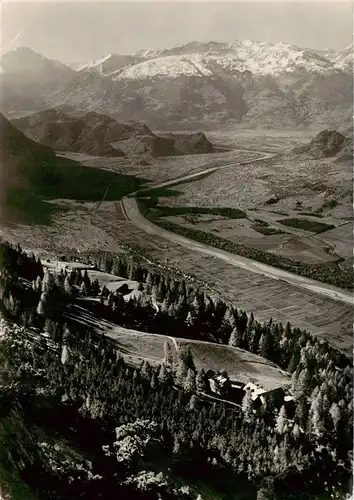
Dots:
pixel 91 424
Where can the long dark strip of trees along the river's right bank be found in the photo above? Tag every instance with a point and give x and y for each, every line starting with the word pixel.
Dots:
pixel 330 272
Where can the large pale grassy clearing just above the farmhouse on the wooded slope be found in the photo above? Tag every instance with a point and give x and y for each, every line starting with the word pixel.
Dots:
pixel 239 364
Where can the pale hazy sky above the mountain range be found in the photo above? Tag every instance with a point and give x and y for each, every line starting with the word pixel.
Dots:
pixel 80 31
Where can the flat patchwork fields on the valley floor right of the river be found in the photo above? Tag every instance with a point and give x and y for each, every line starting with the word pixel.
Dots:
pixel 303 199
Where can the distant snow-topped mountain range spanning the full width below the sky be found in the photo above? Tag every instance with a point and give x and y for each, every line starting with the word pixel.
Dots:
pixel 255 84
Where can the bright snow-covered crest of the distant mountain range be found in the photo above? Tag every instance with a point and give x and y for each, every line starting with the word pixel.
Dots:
pixel 200 59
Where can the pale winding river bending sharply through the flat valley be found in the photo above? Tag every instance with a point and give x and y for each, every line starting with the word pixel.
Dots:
pixel 131 212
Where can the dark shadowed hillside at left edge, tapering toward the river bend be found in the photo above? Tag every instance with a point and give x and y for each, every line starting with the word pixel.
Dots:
pixel 31 175
